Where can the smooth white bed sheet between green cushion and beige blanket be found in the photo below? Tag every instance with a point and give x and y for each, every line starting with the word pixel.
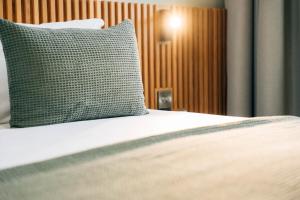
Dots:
pixel 28 145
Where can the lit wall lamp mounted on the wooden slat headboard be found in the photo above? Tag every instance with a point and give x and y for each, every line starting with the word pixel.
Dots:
pixel 169 23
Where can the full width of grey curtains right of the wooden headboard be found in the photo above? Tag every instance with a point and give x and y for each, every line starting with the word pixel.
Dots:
pixel 263 66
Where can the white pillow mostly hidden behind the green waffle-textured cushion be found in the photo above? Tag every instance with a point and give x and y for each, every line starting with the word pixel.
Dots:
pixel 4 94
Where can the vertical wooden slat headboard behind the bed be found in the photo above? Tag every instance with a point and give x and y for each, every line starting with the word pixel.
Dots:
pixel 193 64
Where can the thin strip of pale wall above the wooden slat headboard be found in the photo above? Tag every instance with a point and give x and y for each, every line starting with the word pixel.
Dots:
pixel 200 3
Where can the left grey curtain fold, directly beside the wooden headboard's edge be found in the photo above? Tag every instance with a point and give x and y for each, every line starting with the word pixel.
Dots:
pixel 239 57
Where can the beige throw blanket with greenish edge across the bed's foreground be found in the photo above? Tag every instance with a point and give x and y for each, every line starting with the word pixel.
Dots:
pixel 257 159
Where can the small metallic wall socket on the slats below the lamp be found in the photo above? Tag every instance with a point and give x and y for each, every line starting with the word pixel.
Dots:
pixel 164 99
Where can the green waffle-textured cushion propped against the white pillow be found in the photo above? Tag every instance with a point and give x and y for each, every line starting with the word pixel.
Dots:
pixel 66 75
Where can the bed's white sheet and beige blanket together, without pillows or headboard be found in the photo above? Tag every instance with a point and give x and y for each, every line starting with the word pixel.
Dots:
pixel 162 155
